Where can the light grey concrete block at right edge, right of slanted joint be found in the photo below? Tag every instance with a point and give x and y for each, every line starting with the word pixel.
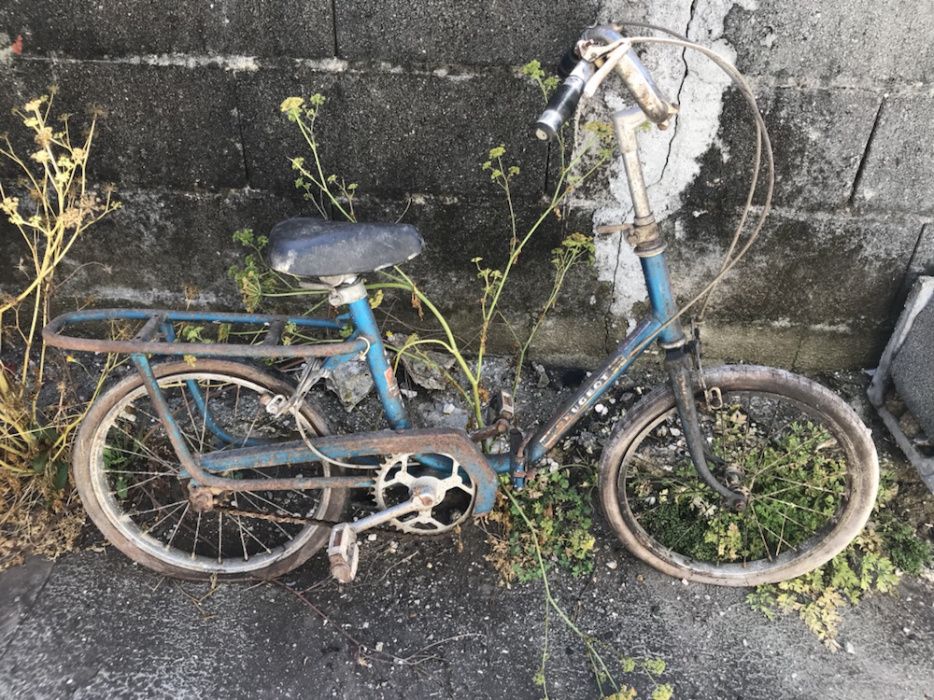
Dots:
pixel 898 173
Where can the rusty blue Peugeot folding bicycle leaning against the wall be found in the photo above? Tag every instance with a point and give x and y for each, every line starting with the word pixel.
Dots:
pixel 210 467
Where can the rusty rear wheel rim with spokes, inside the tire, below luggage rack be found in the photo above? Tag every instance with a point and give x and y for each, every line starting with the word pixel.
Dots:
pixel 133 465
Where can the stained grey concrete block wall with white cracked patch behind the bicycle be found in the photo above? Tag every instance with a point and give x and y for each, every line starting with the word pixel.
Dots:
pixel 418 92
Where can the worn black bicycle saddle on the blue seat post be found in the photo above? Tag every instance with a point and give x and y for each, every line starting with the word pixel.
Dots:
pixel 308 247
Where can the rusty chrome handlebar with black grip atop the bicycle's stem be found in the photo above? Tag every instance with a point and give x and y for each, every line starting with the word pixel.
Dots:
pixel 623 60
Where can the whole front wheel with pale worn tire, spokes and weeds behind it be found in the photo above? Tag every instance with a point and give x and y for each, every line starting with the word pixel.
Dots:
pixel 799 453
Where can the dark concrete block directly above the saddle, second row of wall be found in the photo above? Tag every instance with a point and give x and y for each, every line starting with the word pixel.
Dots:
pixel 394 133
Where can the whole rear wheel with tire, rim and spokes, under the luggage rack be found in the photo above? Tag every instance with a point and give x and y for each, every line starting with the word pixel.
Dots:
pixel 128 476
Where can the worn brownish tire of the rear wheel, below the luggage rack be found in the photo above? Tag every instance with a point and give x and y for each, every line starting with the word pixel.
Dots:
pixel 95 420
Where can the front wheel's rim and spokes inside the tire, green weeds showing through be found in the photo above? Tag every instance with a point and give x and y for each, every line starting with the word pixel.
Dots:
pixel 792 460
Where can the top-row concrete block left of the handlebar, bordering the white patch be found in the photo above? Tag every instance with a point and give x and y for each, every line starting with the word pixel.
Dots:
pixel 438 31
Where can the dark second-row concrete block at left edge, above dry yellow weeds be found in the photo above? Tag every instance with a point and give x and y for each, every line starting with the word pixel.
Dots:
pixel 164 126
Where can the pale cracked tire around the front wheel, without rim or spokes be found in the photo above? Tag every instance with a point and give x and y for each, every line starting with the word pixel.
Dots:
pixel 852 435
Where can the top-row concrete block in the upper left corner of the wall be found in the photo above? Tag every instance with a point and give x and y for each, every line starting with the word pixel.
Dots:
pixel 136 27
